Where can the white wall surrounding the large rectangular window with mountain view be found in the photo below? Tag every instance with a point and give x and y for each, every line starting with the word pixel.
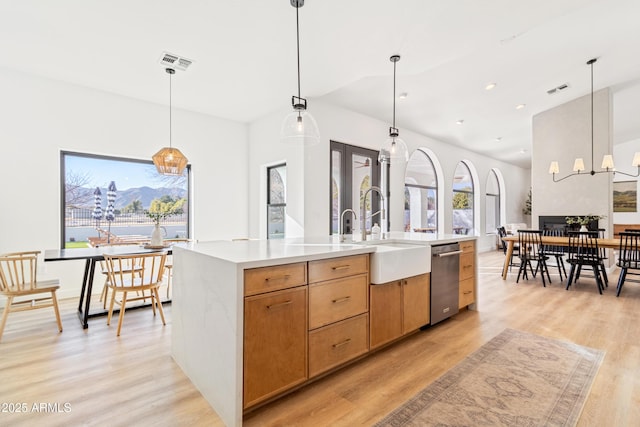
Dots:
pixel 39 117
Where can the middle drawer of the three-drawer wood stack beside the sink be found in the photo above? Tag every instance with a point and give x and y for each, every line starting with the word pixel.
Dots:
pixel 337 299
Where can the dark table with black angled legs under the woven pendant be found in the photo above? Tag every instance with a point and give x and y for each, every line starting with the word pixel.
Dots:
pixel 92 256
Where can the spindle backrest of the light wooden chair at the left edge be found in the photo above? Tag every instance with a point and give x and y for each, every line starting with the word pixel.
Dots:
pixel 18 271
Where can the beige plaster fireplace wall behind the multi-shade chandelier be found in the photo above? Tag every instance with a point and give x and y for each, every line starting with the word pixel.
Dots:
pixel 562 134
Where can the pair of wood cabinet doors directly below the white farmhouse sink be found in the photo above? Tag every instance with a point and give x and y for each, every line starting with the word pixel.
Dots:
pixel 397 308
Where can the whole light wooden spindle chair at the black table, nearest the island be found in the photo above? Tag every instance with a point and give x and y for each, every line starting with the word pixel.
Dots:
pixel 124 282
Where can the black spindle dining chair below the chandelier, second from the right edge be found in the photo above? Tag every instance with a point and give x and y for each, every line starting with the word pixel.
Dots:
pixel 583 252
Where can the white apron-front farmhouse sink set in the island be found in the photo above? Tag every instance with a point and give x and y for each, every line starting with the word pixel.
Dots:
pixel 394 261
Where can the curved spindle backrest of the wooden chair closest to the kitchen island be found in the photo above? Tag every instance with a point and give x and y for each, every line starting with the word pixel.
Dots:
pixel 149 271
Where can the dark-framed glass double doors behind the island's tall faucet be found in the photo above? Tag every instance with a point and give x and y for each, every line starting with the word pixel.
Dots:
pixel 353 171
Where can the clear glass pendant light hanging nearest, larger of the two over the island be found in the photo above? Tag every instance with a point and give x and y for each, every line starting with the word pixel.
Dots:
pixel 299 126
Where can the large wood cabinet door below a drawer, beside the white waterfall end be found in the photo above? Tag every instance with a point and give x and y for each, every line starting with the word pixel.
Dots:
pixel 275 343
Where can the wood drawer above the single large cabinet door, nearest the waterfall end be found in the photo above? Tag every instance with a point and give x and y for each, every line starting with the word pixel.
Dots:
pixel 267 279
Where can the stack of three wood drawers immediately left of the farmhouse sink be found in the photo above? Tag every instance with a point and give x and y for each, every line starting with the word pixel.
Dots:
pixel 338 311
